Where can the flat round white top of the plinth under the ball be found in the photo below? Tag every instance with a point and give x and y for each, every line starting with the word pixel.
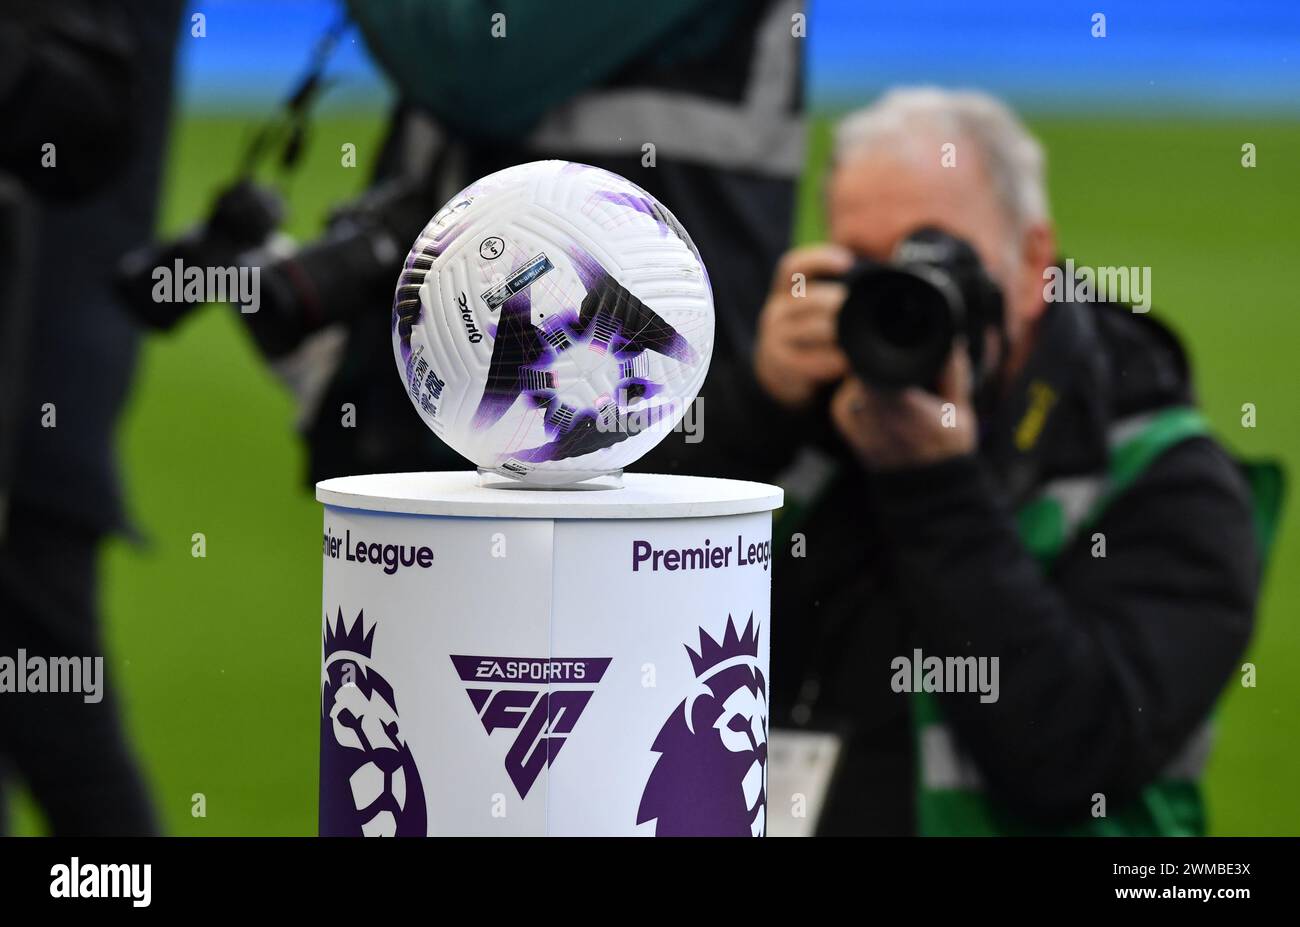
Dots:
pixel 643 496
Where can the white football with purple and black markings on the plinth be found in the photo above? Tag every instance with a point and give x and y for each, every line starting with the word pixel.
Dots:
pixel 553 323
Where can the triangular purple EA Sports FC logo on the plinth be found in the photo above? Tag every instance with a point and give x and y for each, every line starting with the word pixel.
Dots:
pixel 539 699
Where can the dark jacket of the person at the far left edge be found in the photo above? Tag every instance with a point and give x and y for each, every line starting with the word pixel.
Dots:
pixel 94 80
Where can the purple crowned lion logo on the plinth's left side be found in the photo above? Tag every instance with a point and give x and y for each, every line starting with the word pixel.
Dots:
pixel 370 783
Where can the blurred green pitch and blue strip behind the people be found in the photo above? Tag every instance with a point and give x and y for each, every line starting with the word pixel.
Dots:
pixel 219 657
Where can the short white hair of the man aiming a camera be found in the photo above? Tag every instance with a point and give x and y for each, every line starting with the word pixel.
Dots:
pixel 1008 153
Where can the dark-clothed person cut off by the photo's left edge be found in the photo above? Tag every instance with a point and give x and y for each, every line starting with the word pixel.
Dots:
pixel 85 93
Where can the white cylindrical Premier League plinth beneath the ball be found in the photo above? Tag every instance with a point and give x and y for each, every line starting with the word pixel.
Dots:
pixel 514 661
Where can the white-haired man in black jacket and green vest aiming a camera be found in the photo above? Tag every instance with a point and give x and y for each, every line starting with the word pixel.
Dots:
pixel 1045 501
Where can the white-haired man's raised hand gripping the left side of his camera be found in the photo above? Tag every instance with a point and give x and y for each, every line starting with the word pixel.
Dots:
pixel 798 352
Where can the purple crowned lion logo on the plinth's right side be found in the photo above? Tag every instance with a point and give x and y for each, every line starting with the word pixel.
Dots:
pixel 712 774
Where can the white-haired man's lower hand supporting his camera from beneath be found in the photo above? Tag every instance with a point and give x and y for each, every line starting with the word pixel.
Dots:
pixel 912 427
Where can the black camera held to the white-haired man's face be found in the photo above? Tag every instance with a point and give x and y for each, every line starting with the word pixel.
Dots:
pixel 902 319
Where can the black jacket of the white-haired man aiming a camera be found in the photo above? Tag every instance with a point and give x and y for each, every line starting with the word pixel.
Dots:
pixel 1108 665
